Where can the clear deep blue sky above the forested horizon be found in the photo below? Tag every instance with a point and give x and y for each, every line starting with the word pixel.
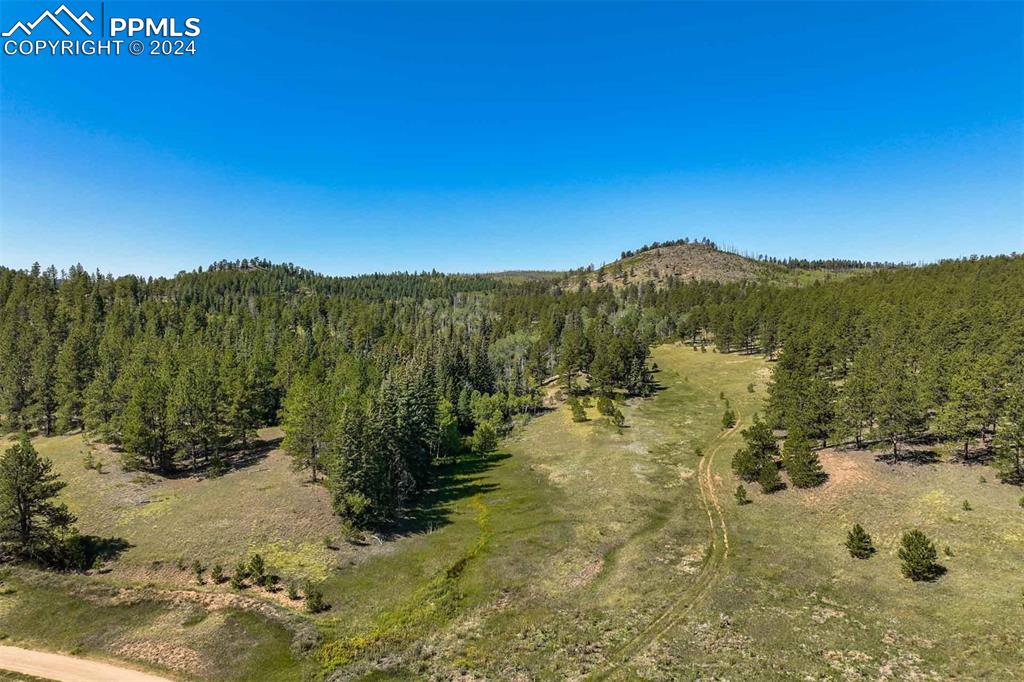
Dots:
pixel 468 138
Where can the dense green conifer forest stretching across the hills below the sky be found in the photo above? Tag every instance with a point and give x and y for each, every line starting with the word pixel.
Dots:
pixel 376 377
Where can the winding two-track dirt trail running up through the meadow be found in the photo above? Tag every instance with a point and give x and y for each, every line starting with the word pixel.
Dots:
pixel 710 573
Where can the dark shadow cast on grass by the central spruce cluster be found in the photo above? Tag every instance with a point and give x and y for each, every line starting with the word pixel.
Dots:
pixel 459 480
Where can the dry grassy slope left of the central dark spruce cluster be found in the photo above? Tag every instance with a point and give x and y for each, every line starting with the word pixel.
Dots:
pixel 262 507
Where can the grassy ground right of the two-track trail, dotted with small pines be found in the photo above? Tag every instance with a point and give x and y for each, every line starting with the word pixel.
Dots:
pixel 793 604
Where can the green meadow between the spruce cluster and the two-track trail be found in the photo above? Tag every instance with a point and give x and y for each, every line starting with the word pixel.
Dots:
pixel 591 532
